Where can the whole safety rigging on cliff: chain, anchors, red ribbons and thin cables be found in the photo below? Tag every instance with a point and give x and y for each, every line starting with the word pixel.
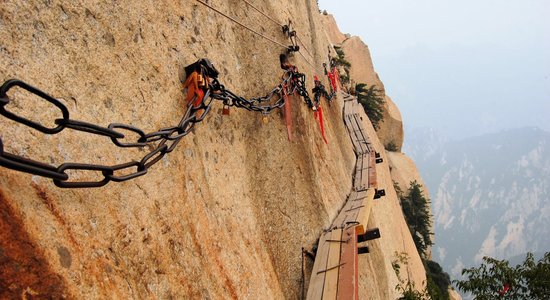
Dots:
pixel 202 88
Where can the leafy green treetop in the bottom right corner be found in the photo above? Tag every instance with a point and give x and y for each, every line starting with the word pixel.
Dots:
pixel 496 279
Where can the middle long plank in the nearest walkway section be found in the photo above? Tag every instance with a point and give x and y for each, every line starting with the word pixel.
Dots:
pixel 331 278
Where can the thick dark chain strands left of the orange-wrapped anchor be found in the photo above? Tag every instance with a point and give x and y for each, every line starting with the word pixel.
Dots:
pixel 162 142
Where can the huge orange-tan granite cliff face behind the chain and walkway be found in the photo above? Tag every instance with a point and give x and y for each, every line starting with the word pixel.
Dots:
pixel 226 213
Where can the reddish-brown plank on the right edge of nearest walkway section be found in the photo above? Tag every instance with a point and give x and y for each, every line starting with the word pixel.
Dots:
pixel 348 280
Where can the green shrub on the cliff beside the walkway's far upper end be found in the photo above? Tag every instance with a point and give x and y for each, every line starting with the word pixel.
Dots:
pixel 372 102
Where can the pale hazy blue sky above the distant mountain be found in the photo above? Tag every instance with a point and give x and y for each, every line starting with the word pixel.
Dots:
pixel 464 67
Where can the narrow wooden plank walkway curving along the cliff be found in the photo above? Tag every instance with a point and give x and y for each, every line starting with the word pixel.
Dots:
pixel 335 270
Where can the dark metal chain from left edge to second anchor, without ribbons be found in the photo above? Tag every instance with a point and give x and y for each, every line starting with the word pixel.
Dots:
pixel 160 142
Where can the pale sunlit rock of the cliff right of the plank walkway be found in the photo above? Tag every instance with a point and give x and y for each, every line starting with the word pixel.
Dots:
pixel 387 213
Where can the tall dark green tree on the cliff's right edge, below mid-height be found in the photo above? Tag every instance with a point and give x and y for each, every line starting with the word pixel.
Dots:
pixel 416 209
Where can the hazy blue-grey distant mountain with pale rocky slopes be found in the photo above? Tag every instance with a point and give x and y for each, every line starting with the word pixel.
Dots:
pixel 490 194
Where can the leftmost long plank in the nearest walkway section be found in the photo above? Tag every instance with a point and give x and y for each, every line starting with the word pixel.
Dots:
pixel 317 280
